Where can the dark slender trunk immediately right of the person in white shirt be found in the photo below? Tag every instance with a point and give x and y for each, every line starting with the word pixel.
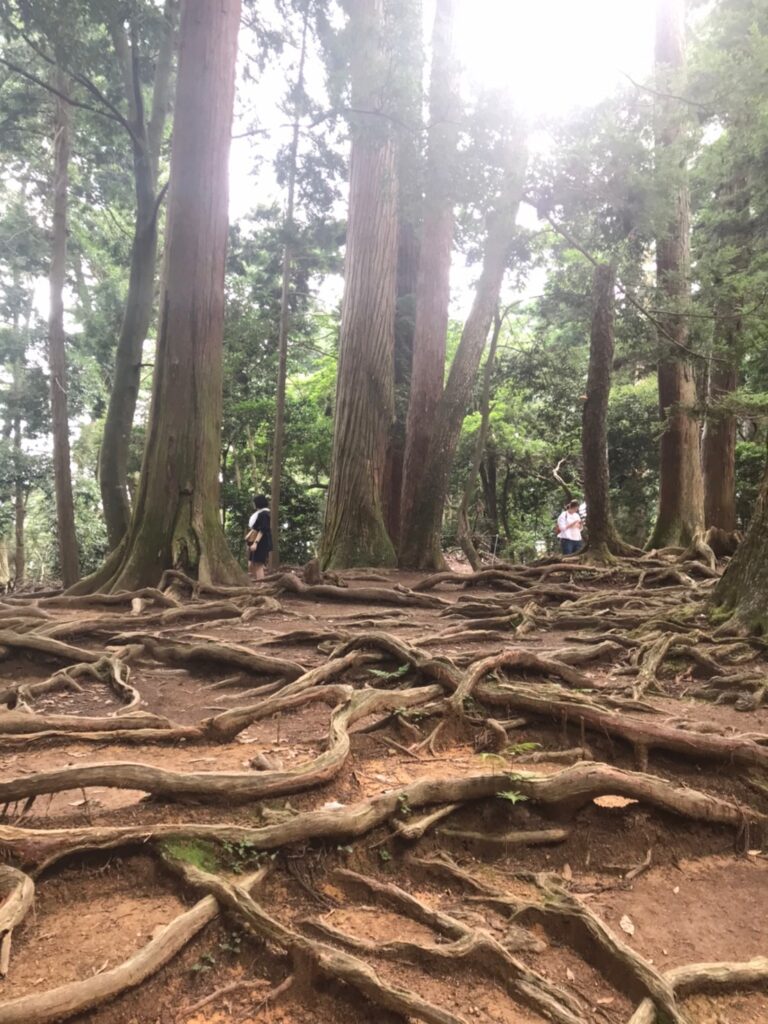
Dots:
pixel 604 540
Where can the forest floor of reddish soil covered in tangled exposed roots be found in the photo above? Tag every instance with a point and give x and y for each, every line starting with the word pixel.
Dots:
pixel 536 794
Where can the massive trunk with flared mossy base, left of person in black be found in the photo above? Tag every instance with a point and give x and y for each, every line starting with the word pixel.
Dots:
pixel 176 522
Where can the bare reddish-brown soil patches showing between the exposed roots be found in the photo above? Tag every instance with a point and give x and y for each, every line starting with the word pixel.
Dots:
pixel 704 899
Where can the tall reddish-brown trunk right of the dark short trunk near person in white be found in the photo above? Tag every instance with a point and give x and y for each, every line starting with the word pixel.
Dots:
pixel 681 487
